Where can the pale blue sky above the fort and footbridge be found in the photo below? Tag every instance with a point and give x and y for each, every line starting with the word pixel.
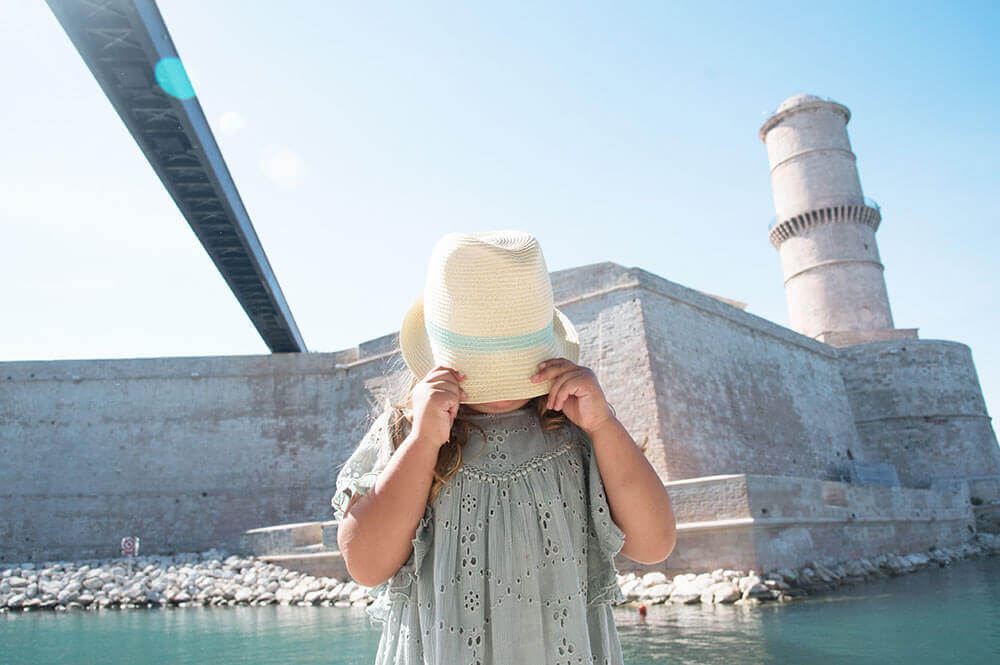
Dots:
pixel 359 133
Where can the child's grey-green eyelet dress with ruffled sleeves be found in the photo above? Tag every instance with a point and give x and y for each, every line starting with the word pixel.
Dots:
pixel 513 562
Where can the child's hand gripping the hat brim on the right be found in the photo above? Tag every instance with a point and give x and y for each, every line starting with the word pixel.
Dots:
pixel 576 392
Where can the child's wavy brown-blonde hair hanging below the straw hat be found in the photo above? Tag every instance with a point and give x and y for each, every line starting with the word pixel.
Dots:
pixel 450 455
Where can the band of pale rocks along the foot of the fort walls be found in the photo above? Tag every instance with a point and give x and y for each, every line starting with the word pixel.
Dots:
pixel 212 578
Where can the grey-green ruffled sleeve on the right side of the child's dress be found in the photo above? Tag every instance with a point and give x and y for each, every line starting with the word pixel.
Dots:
pixel 606 538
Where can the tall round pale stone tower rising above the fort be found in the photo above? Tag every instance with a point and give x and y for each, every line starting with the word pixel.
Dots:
pixel 825 228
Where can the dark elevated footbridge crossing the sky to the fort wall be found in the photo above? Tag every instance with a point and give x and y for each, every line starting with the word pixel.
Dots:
pixel 127 47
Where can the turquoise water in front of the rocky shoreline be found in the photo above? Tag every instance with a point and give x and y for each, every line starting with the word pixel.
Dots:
pixel 940 615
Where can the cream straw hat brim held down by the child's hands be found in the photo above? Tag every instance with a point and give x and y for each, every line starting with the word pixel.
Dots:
pixel 499 383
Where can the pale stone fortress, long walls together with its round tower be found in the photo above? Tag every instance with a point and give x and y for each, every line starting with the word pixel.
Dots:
pixel 843 437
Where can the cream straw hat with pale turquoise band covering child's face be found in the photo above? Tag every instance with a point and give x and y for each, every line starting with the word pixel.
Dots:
pixel 487 311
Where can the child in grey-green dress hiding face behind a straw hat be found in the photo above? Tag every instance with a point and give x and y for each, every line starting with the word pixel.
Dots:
pixel 477 507
